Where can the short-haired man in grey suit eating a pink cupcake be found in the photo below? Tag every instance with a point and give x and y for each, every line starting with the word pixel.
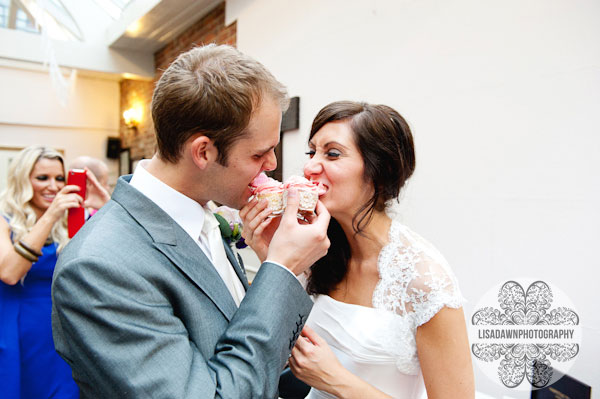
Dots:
pixel 146 300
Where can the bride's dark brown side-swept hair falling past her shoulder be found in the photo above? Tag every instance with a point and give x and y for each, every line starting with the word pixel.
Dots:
pixel 386 146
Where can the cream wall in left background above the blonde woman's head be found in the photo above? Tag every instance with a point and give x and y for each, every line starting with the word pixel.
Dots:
pixel 30 113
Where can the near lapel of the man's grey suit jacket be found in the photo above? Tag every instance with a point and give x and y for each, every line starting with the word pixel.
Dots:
pixel 172 241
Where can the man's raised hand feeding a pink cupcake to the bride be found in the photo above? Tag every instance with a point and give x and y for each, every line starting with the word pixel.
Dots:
pixel 297 246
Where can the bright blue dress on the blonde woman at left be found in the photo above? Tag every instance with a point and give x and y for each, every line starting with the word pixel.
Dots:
pixel 29 364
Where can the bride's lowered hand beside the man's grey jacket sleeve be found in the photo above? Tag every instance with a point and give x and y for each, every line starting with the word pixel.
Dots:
pixel 314 362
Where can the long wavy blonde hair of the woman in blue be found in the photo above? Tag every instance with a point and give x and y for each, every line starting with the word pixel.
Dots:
pixel 15 199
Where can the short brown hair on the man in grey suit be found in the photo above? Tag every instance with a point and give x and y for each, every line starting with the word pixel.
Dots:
pixel 211 90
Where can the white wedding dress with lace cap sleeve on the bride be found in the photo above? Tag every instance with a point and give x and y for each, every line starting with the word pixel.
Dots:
pixel 378 343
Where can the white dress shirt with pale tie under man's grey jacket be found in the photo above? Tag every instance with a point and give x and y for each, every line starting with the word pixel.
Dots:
pixel 190 215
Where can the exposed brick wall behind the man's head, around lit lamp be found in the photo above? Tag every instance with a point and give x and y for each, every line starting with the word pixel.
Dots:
pixel 209 29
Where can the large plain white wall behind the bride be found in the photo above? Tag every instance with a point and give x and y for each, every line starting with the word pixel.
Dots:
pixel 503 98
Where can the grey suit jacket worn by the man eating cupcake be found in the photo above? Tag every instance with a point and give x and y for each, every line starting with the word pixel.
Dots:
pixel 140 312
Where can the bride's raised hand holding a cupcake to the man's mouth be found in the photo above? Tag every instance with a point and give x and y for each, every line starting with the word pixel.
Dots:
pixel 258 228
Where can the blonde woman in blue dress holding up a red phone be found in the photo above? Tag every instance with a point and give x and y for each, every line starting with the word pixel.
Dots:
pixel 33 230
